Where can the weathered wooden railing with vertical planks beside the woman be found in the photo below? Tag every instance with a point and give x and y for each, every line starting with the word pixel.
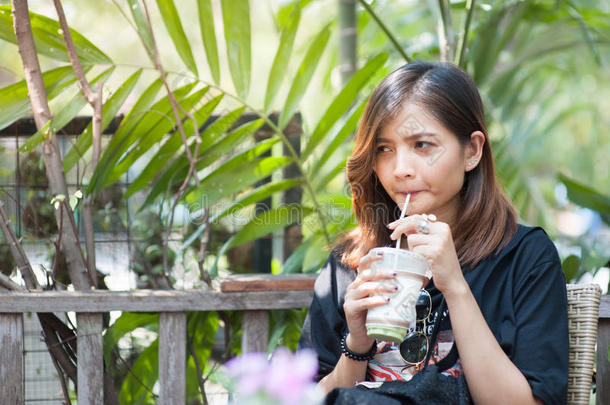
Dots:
pixel 254 295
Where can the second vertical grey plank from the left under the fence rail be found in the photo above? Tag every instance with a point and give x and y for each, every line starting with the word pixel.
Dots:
pixel 90 374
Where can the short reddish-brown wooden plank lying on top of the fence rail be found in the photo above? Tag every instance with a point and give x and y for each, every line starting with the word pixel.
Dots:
pixel 267 282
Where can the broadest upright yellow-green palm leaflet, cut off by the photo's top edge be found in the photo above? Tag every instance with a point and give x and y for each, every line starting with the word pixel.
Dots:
pixel 236 20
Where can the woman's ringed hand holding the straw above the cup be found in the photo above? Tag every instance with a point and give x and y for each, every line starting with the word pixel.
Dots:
pixel 432 240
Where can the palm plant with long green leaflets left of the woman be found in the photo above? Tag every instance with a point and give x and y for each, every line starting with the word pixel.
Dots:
pixel 190 160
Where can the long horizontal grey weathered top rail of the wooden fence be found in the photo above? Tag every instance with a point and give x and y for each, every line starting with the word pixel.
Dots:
pixel 151 301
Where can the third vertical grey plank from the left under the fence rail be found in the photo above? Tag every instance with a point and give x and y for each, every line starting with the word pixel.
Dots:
pixel 172 358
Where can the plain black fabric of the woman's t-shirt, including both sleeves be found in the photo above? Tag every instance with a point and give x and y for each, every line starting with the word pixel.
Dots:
pixel 521 292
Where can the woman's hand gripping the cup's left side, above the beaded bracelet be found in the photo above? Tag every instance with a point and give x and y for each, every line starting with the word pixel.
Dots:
pixel 360 296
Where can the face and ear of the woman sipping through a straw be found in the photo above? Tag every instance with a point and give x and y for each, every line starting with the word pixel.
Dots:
pixel 416 154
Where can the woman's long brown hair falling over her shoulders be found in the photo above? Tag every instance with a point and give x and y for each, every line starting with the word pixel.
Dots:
pixel 487 219
